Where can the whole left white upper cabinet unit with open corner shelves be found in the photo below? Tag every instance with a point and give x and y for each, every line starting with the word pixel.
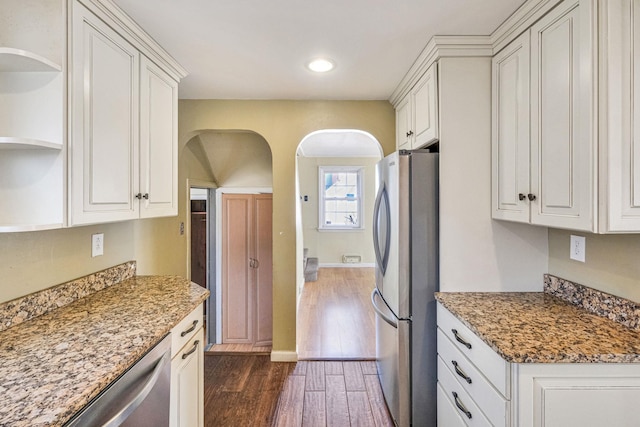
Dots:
pixel 88 117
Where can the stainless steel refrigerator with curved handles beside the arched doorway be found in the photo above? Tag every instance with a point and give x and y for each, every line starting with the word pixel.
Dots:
pixel 405 234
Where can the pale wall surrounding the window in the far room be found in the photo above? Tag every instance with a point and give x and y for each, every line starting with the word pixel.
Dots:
pixel 329 246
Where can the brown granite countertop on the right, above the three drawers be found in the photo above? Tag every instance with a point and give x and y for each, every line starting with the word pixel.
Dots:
pixel 536 327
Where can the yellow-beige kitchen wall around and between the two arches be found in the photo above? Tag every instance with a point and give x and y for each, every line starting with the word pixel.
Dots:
pixel 283 124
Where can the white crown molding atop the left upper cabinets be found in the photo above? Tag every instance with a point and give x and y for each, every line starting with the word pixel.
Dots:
pixel 136 35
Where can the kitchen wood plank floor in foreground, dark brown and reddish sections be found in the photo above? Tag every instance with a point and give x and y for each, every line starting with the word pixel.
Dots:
pixel 250 390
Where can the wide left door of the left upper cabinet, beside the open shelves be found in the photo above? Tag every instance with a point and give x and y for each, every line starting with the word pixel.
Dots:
pixel 104 134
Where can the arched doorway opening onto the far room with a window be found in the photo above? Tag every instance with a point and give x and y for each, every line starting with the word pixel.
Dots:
pixel 336 182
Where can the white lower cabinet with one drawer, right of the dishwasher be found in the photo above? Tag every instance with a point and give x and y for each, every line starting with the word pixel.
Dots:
pixel 187 372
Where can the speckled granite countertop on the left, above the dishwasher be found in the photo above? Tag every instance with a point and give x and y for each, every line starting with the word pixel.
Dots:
pixel 52 365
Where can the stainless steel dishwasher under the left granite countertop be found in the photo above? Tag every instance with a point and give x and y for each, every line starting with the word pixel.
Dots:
pixel 140 397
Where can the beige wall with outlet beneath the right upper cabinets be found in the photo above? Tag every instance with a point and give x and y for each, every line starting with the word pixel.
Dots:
pixel 612 262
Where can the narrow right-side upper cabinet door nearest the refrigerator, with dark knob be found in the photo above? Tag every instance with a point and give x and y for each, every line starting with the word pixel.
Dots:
pixel 510 134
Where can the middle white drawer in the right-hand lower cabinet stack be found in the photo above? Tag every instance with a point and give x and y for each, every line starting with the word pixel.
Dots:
pixel 468 377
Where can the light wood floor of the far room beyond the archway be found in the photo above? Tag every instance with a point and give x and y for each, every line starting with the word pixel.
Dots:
pixel 335 317
